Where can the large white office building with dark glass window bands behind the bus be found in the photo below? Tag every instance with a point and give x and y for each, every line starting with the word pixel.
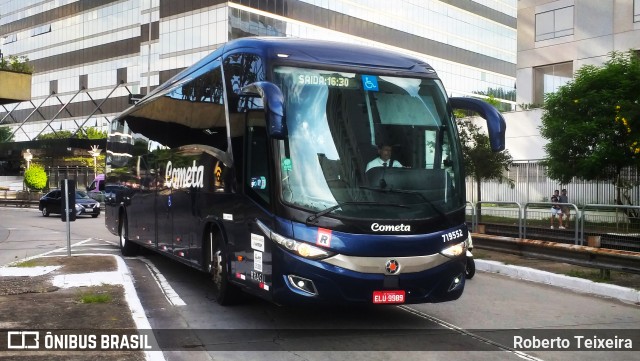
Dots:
pixel 92 56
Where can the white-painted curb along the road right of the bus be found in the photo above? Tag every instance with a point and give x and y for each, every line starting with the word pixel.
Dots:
pixel 573 283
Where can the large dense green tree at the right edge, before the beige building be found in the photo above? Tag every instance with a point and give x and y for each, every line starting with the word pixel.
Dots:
pixel 592 123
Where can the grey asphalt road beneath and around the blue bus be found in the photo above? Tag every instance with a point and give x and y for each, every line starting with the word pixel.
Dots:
pixel 482 324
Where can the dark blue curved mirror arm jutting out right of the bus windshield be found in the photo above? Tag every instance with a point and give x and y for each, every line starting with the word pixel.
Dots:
pixel 495 121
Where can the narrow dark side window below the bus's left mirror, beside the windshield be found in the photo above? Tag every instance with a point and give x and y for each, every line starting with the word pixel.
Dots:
pixel 258 180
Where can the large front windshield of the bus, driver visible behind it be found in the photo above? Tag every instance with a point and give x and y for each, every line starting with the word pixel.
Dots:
pixel 368 146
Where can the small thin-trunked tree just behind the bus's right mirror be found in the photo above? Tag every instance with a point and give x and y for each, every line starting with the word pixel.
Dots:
pixel 480 161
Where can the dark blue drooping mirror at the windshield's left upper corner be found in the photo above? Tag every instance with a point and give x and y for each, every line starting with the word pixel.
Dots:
pixel 273 101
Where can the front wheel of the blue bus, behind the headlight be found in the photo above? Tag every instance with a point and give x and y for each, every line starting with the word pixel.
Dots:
pixel 224 293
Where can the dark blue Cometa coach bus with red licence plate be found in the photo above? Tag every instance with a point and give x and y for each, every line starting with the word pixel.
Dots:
pixel 258 166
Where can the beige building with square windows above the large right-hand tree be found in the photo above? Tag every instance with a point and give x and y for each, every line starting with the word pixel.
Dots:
pixel 556 38
